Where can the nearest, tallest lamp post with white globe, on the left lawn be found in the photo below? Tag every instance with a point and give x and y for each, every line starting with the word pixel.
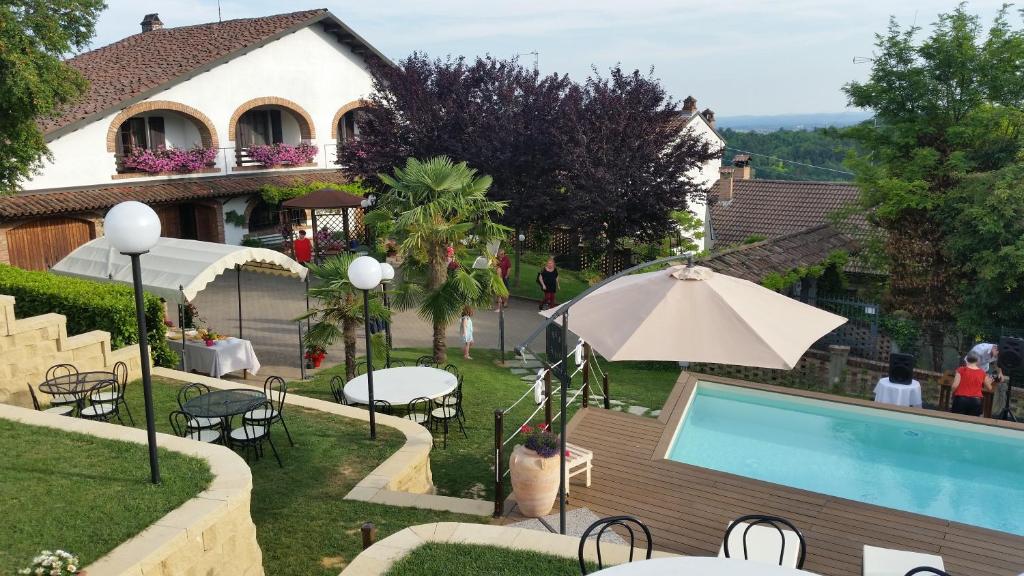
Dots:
pixel 134 229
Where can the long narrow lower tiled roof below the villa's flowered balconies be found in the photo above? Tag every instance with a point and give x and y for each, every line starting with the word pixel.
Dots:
pixel 100 198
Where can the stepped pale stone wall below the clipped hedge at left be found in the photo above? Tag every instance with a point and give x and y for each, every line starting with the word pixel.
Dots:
pixel 29 347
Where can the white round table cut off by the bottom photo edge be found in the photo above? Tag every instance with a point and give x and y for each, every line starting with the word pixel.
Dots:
pixel 700 566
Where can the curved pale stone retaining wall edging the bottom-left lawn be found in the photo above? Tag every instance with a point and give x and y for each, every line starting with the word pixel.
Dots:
pixel 212 533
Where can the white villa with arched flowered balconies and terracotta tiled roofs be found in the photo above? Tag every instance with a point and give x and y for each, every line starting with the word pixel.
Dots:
pixel 227 91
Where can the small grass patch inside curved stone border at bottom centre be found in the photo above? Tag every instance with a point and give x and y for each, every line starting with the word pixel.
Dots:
pixel 474 560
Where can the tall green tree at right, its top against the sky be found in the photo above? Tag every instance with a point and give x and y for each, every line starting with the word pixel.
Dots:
pixel 947 107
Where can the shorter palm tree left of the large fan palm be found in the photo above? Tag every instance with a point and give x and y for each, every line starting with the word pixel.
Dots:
pixel 338 305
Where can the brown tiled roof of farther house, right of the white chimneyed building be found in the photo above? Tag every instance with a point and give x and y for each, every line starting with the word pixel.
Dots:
pixel 772 209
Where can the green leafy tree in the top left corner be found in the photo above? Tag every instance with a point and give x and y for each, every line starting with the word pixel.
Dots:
pixel 34 83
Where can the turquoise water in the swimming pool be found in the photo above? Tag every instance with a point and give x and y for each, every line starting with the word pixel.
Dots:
pixel 963 473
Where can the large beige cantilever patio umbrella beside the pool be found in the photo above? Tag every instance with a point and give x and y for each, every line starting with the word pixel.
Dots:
pixel 697 315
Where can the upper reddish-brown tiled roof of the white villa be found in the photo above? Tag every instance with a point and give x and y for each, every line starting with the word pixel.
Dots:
pixel 136 68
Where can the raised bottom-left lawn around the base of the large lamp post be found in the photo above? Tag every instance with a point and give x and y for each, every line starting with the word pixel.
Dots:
pixel 82 495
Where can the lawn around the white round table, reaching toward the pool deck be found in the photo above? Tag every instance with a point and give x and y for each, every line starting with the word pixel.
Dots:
pixel 466 468
